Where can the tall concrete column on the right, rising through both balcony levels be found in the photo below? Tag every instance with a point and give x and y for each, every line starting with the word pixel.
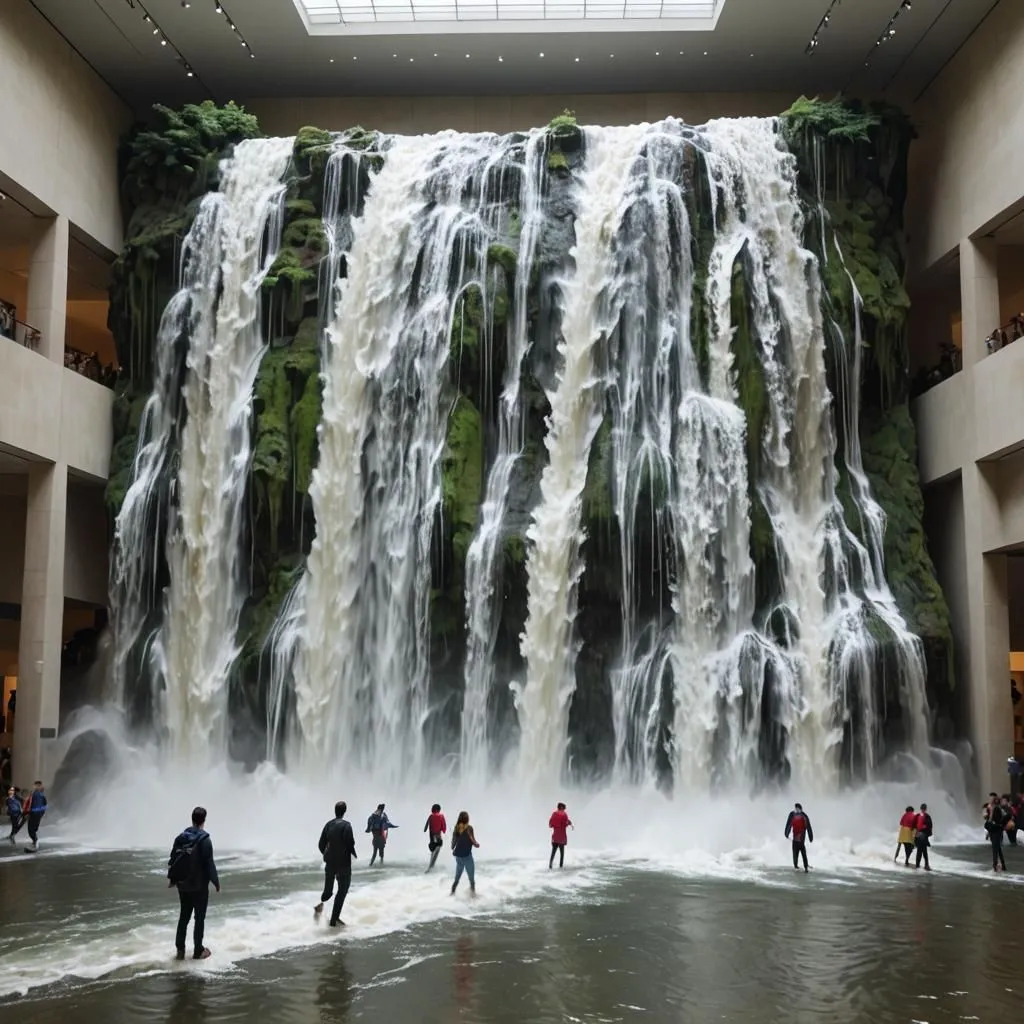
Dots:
pixel 988 628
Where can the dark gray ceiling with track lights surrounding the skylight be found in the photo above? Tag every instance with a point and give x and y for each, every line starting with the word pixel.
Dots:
pixel 758 47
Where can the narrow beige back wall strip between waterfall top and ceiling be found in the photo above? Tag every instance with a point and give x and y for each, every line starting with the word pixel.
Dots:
pixel 418 115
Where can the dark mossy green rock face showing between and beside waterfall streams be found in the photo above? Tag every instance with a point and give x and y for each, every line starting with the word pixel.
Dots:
pixel 861 155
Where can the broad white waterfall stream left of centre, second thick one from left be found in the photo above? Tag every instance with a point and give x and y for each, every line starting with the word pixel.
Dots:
pixel 362 669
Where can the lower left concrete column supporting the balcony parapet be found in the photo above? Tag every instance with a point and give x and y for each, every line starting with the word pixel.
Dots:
pixel 42 619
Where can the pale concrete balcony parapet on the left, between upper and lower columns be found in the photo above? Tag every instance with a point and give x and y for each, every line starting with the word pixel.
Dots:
pixel 54 414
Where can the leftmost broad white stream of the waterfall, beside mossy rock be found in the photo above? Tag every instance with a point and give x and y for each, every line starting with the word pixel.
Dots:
pixel 204 598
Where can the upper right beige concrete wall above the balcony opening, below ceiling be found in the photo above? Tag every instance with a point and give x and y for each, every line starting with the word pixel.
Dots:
pixel 966 163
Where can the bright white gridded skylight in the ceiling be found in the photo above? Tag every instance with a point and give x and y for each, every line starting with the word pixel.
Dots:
pixel 330 17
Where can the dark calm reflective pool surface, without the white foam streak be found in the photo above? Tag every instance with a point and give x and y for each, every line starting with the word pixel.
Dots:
pixel 642 947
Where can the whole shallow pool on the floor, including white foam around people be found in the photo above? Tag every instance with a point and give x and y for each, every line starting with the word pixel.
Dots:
pixel 89 936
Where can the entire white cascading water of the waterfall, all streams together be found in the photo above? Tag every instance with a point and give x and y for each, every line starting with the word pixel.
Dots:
pixel 689 356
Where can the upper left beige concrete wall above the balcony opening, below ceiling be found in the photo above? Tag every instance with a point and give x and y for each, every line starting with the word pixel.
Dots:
pixel 61 125
